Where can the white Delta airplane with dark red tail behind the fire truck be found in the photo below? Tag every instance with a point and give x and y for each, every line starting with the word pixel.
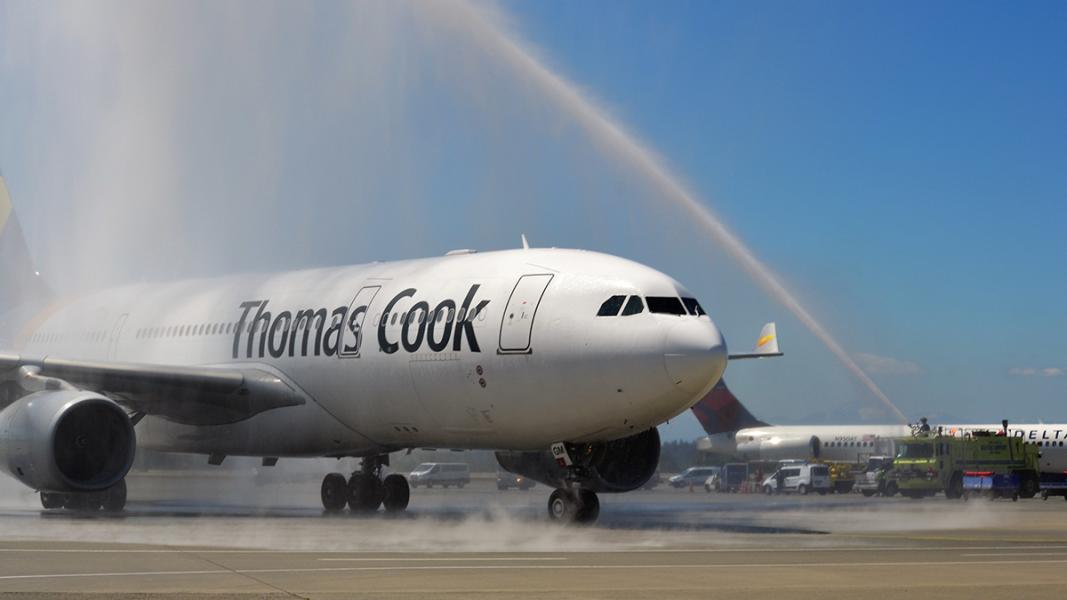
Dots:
pixel 732 431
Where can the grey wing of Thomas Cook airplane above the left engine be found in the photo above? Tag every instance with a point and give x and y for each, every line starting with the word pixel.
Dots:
pixel 192 396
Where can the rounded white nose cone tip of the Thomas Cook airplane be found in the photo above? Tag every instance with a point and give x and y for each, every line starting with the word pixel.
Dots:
pixel 695 356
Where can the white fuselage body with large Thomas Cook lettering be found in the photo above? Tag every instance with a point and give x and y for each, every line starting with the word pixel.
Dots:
pixel 480 351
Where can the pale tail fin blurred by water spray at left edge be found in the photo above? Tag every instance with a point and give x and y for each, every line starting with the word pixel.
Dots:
pixel 20 283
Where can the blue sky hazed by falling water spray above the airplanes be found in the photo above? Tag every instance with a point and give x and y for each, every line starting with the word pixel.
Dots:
pixel 902 167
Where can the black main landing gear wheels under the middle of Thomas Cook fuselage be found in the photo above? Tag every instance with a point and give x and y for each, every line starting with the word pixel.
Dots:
pixel 365 492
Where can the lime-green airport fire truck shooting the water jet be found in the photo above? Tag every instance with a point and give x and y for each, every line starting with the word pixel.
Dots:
pixel 928 465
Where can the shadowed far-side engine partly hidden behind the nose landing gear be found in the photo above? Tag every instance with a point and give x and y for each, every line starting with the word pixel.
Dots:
pixel 620 466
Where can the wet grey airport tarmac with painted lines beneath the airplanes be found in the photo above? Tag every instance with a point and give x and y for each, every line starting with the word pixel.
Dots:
pixel 235 535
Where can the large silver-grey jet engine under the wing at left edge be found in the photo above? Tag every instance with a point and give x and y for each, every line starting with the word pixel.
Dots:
pixel 66 441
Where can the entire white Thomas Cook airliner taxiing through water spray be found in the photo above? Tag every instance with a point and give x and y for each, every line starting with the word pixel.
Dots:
pixel 564 361
